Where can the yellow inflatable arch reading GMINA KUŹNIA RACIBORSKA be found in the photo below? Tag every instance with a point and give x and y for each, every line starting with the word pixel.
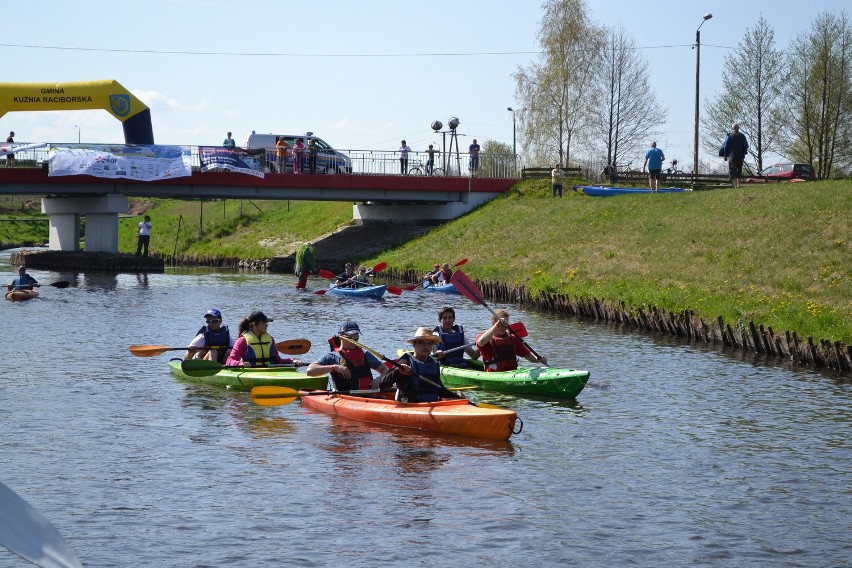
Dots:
pixel 109 95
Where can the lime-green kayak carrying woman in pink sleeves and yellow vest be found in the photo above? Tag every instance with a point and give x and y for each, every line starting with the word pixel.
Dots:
pixel 247 378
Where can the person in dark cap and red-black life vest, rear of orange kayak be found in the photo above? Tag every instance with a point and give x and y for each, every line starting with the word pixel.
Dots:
pixel 348 366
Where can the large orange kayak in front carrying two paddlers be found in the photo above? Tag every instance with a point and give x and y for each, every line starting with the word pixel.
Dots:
pixel 450 416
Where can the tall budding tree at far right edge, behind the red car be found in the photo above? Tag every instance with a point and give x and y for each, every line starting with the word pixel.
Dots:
pixel 819 95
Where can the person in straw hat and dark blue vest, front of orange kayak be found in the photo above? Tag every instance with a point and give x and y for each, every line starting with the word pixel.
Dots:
pixel 412 366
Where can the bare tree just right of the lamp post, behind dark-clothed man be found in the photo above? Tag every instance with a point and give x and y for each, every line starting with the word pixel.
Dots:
pixel 752 89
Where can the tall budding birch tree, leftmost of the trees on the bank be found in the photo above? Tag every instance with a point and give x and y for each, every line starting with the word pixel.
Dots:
pixel 558 92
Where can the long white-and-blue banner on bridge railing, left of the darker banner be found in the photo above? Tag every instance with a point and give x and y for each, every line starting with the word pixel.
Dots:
pixel 139 162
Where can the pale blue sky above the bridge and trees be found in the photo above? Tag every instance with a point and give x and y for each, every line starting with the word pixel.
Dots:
pixel 361 75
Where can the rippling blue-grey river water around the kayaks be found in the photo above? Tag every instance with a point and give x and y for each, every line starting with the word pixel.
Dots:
pixel 673 455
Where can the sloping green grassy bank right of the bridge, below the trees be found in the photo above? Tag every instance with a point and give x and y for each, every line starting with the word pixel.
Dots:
pixel 775 254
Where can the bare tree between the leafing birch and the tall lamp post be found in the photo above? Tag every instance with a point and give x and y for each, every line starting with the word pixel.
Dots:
pixel 629 112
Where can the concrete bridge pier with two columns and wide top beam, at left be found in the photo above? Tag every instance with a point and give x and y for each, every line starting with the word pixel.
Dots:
pixel 101 221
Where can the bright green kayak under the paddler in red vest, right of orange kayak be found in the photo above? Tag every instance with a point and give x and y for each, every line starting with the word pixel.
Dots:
pixel 544 381
